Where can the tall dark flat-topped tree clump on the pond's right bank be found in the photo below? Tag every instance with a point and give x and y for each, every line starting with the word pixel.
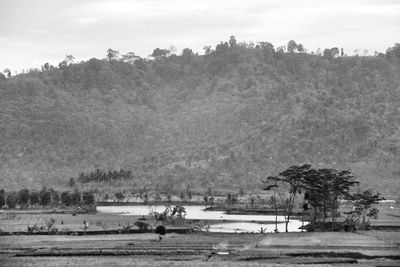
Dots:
pixel 322 189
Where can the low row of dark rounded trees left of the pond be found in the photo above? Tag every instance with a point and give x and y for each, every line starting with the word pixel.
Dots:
pixel 45 197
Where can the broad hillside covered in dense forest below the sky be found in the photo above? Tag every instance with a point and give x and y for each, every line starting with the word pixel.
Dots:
pixel 228 117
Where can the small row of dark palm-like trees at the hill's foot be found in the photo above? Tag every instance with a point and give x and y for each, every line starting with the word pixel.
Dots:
pixel 103 176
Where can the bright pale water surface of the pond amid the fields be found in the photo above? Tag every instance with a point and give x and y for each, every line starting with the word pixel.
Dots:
pixel 238 223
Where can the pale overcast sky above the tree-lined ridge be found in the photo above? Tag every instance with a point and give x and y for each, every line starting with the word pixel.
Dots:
pixel 39 31
